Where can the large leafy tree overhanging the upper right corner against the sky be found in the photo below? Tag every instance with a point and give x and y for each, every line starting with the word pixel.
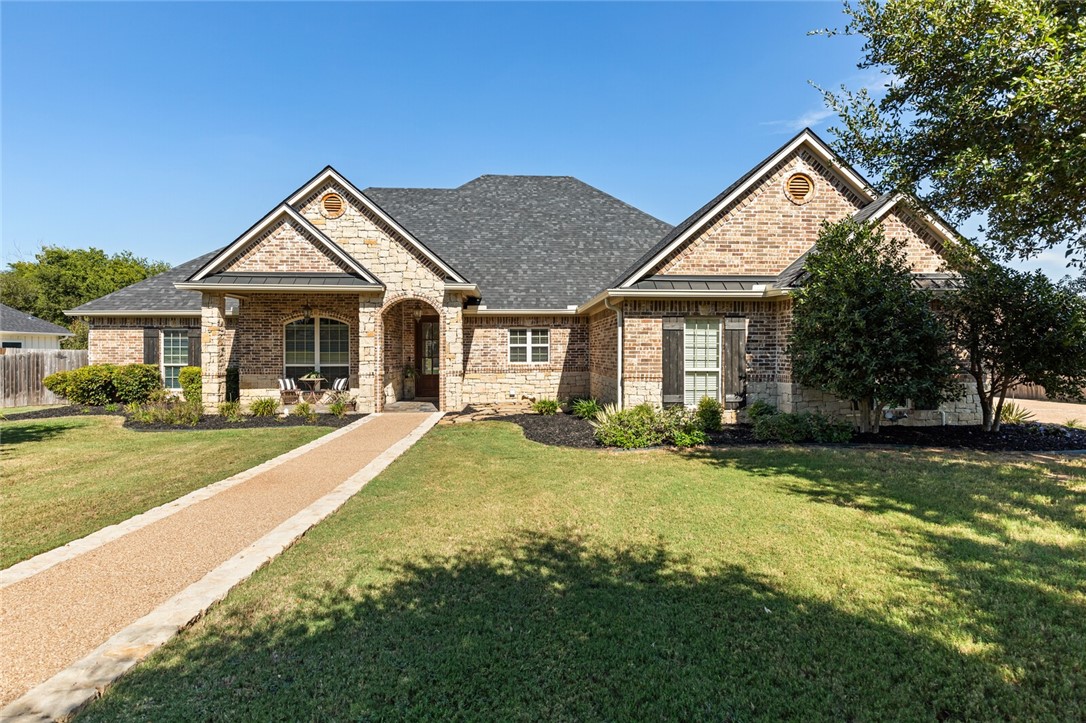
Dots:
pixel 986 113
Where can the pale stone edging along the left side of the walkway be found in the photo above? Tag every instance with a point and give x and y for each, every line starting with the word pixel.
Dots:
pixel 108 535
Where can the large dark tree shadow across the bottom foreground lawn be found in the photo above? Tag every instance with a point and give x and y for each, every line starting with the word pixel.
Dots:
pixel 550 628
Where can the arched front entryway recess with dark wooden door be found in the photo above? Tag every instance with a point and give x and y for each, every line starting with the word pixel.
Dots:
pixel 411 358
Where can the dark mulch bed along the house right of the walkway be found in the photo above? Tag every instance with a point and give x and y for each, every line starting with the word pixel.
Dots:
pixel 565 430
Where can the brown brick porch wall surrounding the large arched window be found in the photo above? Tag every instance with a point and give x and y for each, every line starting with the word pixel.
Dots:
pixel 261 331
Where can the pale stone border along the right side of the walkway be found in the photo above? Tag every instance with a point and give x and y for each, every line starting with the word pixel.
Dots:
pixel 68 692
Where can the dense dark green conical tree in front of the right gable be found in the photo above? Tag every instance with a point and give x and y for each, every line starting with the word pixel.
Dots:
pixel 863 332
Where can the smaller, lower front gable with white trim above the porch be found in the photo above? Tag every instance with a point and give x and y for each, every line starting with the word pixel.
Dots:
pixel 249 245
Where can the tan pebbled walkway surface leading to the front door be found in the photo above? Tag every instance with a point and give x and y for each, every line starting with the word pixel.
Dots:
pixel 57 617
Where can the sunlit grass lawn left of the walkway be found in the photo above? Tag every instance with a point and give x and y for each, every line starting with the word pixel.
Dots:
pixel 65 478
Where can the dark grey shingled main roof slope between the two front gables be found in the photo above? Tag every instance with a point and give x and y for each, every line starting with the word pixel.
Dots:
pixel 545 243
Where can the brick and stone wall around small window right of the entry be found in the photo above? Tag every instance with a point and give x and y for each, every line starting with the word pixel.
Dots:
pixel 490 377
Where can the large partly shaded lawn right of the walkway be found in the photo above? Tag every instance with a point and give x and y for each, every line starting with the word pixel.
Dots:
pixel 484 577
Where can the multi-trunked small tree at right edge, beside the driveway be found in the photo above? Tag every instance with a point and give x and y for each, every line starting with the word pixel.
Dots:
pixel 1014 328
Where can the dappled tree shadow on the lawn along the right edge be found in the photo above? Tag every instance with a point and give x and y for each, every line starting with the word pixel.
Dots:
pixel 1003 540
